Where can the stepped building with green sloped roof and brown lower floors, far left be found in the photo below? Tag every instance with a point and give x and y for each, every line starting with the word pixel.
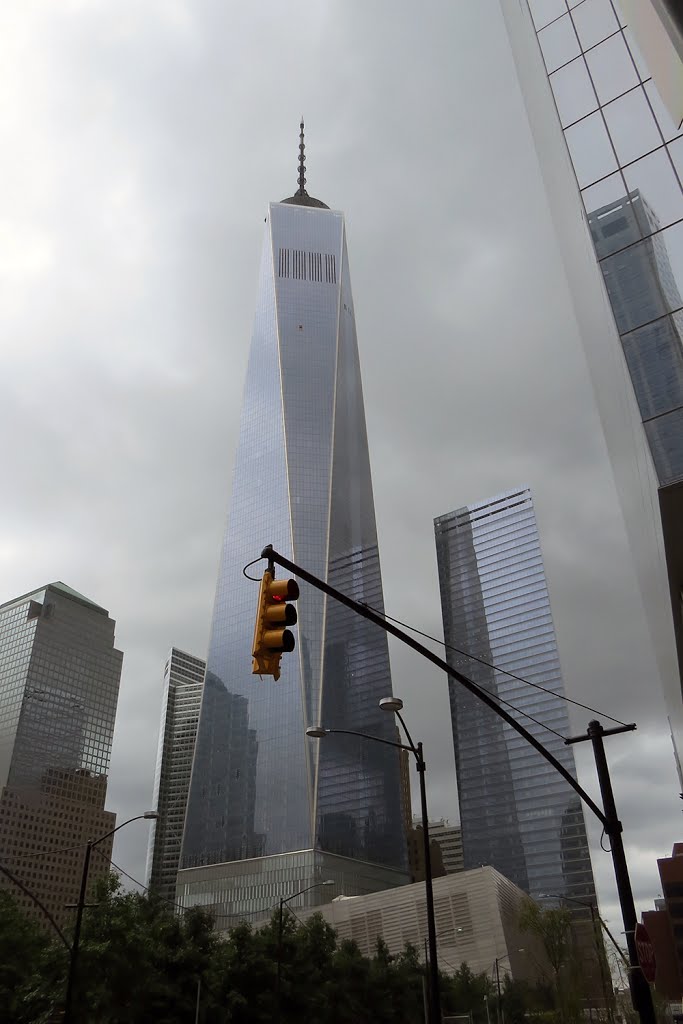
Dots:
pixel 60 676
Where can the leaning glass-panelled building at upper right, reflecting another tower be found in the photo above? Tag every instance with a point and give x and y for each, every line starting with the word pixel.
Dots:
pixel 611 154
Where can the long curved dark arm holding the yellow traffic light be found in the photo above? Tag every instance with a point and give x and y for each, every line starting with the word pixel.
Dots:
pixel 362 610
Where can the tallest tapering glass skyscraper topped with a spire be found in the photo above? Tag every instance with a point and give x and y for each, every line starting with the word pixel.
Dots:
pixel 271 812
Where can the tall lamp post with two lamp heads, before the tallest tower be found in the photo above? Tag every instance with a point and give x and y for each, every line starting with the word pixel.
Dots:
pixel 396 706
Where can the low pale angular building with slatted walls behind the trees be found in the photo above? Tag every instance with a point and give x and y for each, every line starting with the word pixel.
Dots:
pixel 478 920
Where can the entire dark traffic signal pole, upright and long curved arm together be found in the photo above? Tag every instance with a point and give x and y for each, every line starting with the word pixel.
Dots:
pixel 641 991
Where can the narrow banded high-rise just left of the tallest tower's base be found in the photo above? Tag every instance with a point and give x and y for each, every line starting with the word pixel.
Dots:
pixel 184 684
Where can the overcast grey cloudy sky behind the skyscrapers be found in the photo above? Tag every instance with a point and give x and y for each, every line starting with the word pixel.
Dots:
pixel 142 143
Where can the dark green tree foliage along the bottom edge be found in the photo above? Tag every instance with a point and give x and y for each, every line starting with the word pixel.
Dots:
pixel 140 963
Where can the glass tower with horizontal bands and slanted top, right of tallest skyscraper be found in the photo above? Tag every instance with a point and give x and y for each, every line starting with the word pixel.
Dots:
pixel 517 812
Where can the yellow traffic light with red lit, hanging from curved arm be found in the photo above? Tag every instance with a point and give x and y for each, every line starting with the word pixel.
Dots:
pixel 275 614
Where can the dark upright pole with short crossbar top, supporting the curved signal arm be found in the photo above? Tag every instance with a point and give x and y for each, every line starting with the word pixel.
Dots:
pixel 642 995
